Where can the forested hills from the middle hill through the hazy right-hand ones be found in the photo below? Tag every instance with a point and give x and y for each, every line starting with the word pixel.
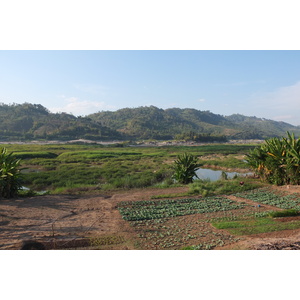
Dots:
pixel 152 122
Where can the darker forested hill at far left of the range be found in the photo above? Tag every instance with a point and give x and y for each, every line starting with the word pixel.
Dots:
pixel 33 121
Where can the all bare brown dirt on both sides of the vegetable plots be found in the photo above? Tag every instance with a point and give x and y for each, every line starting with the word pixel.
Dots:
pixel 68 222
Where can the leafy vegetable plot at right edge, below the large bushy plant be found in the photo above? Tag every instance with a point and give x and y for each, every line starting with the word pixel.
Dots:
pixel 264 196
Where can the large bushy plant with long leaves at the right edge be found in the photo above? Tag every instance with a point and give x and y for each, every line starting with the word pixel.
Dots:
pixel 277 161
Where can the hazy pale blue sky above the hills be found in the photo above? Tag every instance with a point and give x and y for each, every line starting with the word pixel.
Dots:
pixel 261 83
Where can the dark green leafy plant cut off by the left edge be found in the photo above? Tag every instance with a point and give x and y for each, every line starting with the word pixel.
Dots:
pixel 10 177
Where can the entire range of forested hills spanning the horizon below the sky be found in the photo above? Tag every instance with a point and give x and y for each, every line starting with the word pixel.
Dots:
pixel 35 122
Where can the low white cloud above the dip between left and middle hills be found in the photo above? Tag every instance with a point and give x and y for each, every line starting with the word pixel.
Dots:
pixel 81 107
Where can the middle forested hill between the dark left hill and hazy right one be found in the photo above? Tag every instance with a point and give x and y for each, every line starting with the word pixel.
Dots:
pixel 152 122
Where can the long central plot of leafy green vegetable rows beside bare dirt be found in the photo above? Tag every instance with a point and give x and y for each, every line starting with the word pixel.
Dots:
pixel 149 210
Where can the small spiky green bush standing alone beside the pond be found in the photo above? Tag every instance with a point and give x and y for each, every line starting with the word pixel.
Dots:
pixel 185 167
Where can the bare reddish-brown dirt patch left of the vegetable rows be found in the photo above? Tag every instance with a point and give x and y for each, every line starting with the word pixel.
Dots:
pixel 62 221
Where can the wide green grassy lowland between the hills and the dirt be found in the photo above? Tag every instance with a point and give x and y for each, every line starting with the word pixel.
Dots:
pixel 70 167
